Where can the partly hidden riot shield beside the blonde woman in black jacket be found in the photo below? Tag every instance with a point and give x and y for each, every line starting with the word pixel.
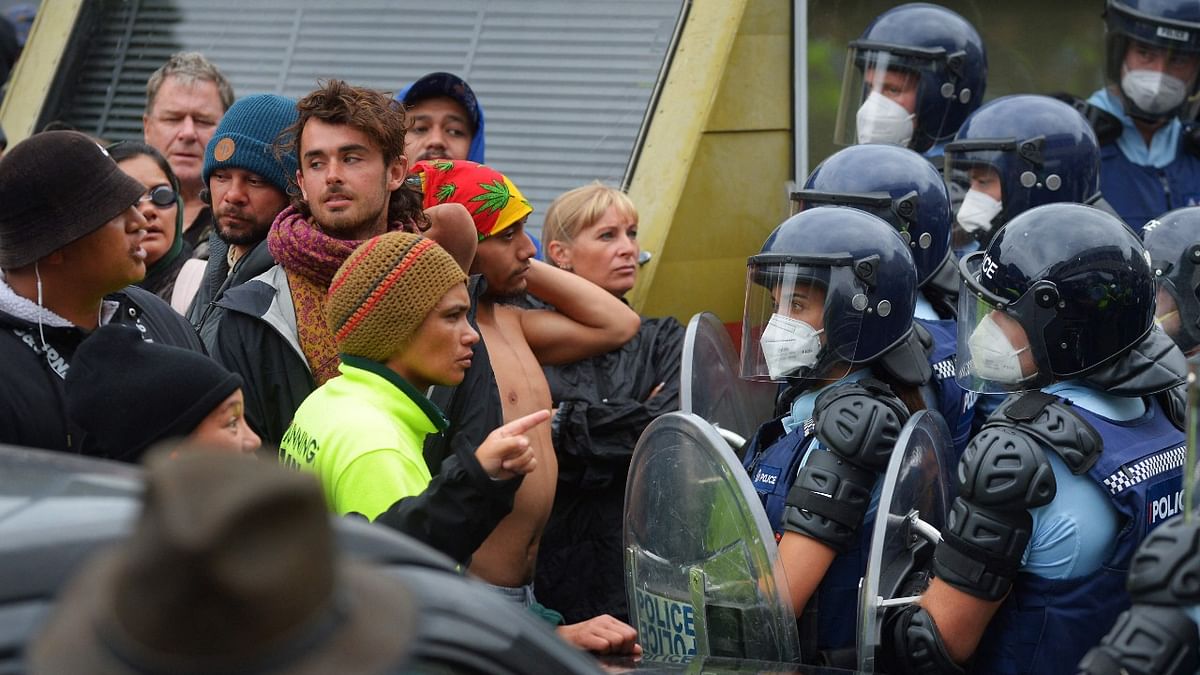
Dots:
pixel 711 387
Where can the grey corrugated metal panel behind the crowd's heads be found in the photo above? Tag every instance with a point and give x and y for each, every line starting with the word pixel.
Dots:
pixel 565 85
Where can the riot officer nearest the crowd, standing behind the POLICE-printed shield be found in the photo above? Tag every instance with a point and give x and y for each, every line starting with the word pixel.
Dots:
pixel 831 294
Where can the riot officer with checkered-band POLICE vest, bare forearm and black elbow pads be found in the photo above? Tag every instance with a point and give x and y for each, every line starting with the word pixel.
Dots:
pixel 1059 488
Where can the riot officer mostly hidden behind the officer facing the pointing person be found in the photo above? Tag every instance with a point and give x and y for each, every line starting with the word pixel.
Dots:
pixel 905 190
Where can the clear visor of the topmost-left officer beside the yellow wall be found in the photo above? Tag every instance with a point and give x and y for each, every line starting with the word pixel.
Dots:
pixel 880 95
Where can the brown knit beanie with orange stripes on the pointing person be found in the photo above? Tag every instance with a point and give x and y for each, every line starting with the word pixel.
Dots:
pixel 382 294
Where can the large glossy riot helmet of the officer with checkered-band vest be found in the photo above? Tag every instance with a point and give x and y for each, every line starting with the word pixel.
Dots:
pixel 1060 291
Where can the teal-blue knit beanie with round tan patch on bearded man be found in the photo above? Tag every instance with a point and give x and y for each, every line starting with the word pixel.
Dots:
pixel 247 139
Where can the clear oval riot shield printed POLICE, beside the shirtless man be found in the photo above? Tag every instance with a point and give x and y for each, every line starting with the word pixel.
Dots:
pixel 699 552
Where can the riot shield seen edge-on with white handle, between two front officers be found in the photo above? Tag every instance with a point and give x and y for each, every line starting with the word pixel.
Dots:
pixel 915 499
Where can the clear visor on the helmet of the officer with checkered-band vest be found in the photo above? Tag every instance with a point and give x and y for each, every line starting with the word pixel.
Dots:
pixel 995 351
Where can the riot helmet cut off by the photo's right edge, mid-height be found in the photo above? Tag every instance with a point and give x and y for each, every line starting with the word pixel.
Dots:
pixel 1173 241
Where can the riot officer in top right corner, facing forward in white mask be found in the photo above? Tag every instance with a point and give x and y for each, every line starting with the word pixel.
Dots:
pixel 1153 63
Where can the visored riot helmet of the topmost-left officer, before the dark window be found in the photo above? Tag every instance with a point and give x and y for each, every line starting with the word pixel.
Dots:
pixel 931 52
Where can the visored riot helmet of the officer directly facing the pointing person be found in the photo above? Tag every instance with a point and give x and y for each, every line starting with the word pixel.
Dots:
pixel 832 286
